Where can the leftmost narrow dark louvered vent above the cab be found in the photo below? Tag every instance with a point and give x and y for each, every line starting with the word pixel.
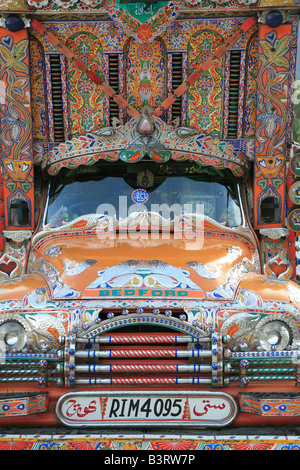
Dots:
pixel 56 82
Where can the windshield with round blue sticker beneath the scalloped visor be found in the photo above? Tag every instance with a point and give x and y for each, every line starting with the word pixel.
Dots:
pixel 119 189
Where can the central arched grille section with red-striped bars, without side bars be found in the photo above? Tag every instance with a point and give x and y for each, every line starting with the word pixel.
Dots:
pixel 181 354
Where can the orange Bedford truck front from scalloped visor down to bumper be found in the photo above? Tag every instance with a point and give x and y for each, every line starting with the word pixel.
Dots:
pixel 145 303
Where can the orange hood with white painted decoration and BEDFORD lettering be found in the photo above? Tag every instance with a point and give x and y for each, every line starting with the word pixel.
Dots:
pixel 83 266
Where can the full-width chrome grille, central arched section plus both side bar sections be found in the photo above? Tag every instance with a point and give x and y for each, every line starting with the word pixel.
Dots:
pixel 147 348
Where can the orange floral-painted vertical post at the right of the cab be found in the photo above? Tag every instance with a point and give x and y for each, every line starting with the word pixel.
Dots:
pixel 273 74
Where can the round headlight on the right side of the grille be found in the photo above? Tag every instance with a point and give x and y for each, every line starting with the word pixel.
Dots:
pixel 274 335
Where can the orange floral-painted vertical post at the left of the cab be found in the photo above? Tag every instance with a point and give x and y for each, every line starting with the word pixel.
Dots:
pixel 16 122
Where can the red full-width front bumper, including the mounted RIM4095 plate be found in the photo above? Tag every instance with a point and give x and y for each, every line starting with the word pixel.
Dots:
pixel 108 409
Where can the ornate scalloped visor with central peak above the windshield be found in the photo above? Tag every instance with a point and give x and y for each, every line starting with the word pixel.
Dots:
pixel 146 136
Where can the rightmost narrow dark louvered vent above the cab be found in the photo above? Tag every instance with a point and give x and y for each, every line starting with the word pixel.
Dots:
pixel 234 85
